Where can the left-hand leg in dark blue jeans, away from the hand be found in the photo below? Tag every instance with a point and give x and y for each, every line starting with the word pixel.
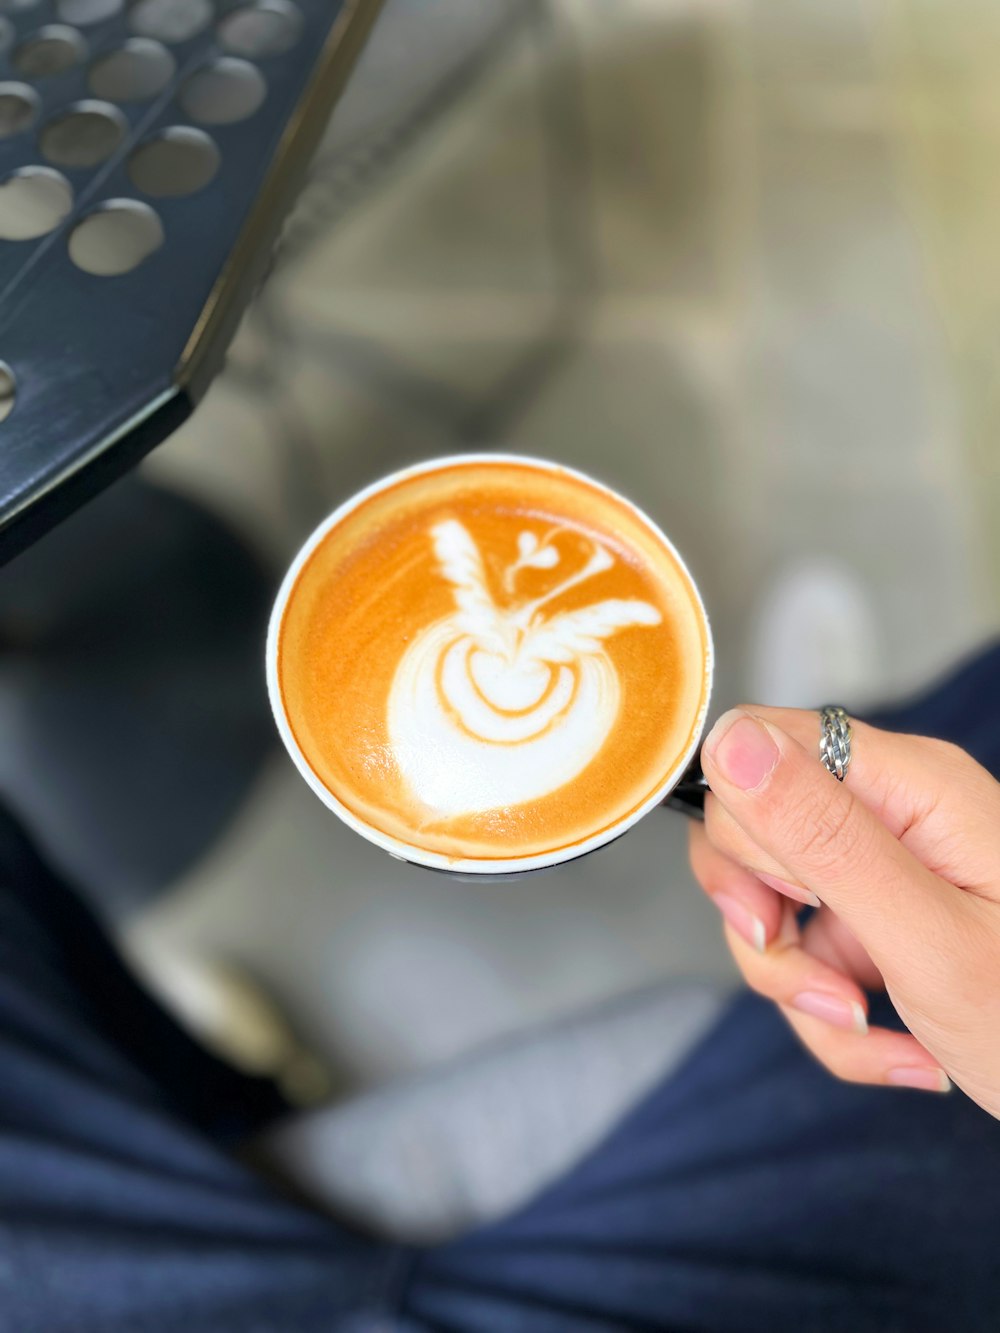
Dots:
pixel 121 1208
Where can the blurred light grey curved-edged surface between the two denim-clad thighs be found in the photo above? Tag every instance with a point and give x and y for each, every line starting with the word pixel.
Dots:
pixel 429 1158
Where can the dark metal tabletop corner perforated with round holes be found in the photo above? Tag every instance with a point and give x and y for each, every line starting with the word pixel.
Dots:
pixel 147 155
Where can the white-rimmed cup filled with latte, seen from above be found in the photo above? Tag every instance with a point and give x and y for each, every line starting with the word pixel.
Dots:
pixel 490 665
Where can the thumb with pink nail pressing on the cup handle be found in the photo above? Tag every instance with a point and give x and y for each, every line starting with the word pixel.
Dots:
pixel 821 832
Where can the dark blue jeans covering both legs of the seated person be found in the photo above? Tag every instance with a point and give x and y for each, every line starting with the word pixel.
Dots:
pixel 749 1192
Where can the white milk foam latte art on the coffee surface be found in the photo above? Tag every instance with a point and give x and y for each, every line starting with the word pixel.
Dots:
pixel 494 707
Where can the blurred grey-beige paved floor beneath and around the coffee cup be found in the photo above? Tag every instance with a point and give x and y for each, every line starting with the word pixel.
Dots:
pixel 681 246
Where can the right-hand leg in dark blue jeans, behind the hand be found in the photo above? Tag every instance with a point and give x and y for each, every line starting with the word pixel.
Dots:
pixel 755 1192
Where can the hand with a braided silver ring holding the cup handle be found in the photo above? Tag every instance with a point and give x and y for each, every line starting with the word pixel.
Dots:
pixel 905 859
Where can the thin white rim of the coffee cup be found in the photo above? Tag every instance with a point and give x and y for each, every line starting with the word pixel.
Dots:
pixel 410 852
